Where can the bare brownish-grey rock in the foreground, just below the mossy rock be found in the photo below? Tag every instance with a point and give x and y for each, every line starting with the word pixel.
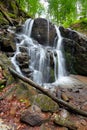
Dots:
pixel 33 116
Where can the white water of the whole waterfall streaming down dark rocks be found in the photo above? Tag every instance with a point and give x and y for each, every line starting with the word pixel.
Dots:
pixel 40 56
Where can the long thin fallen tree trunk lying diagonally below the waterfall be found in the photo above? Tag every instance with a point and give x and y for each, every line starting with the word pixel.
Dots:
pixel 44 91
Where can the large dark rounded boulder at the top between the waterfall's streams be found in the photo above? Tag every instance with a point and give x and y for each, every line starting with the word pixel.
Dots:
pixel 40 32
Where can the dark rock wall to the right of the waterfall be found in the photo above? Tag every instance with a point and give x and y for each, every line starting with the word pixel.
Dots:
pixel 75 45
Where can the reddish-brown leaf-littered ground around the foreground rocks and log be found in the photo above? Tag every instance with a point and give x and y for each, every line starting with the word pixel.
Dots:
pixel 11 109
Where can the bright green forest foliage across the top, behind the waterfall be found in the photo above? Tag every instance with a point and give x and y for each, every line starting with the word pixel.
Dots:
pixel 59 11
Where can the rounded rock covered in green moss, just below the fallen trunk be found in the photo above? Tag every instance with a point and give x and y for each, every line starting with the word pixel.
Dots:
pixel 45 103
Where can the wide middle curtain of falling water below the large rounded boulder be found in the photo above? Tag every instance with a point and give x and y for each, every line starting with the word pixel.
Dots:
pixel 39 64
